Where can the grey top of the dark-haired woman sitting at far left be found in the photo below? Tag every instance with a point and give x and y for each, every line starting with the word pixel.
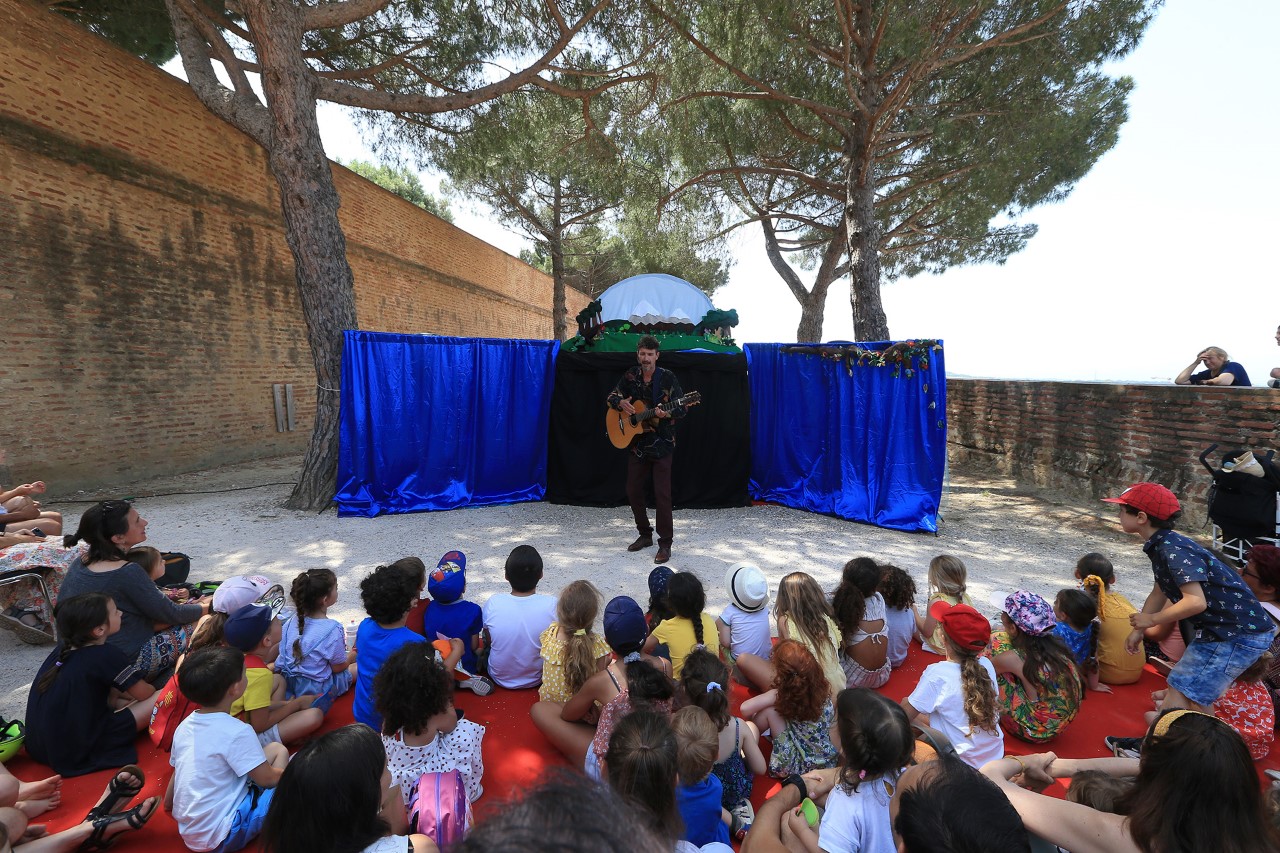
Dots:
pixel 140 601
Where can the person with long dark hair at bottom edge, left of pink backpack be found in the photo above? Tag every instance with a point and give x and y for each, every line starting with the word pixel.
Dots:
pixel 336 796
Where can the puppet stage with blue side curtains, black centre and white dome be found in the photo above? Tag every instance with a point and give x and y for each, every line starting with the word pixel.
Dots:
pixel 441 423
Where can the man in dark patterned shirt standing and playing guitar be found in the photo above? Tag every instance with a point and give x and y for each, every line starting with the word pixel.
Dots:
pixel 651 451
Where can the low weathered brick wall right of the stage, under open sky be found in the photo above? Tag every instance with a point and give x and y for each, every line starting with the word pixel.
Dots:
pixel 1092 440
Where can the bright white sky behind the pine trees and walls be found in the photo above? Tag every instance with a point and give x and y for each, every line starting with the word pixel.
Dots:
pixel 1163 249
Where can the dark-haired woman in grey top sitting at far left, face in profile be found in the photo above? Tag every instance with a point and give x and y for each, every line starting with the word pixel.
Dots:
pixel 154 631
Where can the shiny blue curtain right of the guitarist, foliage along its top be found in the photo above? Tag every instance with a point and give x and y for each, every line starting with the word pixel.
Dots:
pixel 866 448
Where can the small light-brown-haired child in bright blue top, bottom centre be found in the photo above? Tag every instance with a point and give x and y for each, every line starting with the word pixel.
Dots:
pixel 700 792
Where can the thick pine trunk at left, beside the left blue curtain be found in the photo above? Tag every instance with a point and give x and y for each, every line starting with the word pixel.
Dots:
pixel 310 204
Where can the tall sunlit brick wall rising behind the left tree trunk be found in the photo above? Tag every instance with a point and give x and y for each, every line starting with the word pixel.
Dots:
pixel 147 289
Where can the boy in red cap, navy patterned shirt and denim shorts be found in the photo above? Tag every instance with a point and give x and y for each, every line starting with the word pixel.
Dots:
pixel 1232 628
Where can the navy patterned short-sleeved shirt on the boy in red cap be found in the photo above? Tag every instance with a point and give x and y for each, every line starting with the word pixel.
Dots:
pixel 1232 612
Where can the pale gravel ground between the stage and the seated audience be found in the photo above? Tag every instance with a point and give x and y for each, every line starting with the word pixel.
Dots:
pixel 231 522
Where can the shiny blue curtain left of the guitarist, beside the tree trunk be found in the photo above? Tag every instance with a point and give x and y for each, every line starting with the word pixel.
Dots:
pixel 437 423
